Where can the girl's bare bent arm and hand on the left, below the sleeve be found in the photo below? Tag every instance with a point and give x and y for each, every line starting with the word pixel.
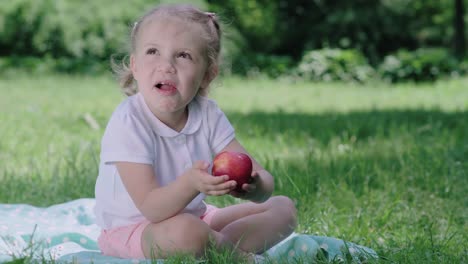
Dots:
pixel 158 203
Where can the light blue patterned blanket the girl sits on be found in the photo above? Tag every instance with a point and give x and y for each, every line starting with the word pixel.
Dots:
pixel 67 233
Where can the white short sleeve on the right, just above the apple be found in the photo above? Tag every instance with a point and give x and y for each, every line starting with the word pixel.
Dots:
pixel 221 131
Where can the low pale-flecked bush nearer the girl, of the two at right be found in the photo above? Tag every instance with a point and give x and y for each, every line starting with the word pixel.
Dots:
pixel 334 65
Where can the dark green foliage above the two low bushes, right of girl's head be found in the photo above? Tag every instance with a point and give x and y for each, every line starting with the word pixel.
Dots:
pixel 374 27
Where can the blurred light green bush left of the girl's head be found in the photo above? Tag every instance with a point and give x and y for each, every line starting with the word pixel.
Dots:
pixel 78 34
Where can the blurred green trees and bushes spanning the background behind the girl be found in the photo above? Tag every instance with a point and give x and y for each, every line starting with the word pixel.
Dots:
pixel 392 40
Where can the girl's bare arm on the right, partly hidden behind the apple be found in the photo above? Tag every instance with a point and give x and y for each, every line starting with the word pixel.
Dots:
pixel 263 185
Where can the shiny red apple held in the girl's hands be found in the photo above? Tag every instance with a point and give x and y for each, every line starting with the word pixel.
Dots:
pixel 237 165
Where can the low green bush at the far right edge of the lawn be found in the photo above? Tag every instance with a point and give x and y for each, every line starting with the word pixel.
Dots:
pixel 425 64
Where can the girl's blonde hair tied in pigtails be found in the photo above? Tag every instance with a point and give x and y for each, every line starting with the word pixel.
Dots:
pixel 209 23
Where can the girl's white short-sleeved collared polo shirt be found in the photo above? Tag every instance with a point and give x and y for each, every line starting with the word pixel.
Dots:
pixel 134 134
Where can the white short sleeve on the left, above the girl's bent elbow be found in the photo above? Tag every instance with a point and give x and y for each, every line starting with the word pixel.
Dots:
pixel 127 139
